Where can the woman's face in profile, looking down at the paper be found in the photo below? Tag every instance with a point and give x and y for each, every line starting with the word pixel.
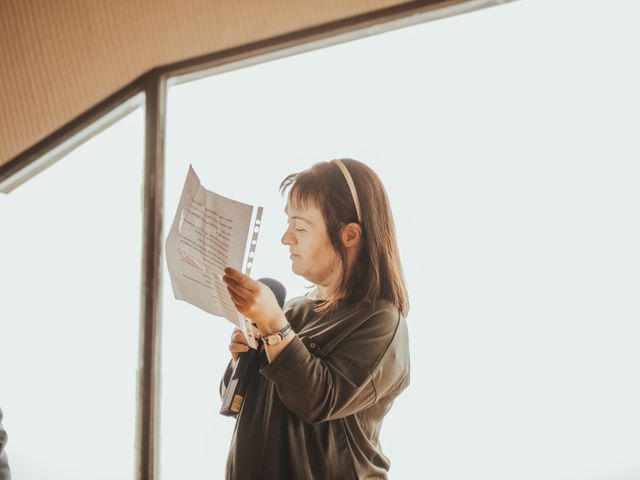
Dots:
pixel 312 255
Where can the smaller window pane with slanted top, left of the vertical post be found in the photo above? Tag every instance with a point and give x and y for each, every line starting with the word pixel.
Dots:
pixel 70 258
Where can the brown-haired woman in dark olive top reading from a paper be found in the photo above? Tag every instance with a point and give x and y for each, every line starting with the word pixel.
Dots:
pixel 335 359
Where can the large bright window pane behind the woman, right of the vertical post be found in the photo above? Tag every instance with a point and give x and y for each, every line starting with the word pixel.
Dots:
pixel 507 139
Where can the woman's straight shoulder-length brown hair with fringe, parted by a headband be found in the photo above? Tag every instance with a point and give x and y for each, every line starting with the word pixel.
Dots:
pixel 377 272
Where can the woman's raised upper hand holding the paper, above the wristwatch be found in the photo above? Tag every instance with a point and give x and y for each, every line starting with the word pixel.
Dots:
pixel 255 301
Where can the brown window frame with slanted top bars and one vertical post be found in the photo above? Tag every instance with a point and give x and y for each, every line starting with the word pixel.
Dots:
pixel 150 91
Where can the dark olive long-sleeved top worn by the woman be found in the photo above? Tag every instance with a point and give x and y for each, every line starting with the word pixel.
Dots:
pixel 316 411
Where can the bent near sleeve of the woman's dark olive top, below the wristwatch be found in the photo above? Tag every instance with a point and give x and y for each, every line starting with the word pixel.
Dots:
pixel 358 371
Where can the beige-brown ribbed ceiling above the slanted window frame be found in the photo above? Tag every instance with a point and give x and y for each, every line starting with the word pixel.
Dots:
pixel 61 58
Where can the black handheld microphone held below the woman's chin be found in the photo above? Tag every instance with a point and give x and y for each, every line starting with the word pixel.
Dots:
pixel 246 364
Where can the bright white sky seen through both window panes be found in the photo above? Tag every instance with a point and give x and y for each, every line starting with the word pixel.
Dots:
pixel 507 139
